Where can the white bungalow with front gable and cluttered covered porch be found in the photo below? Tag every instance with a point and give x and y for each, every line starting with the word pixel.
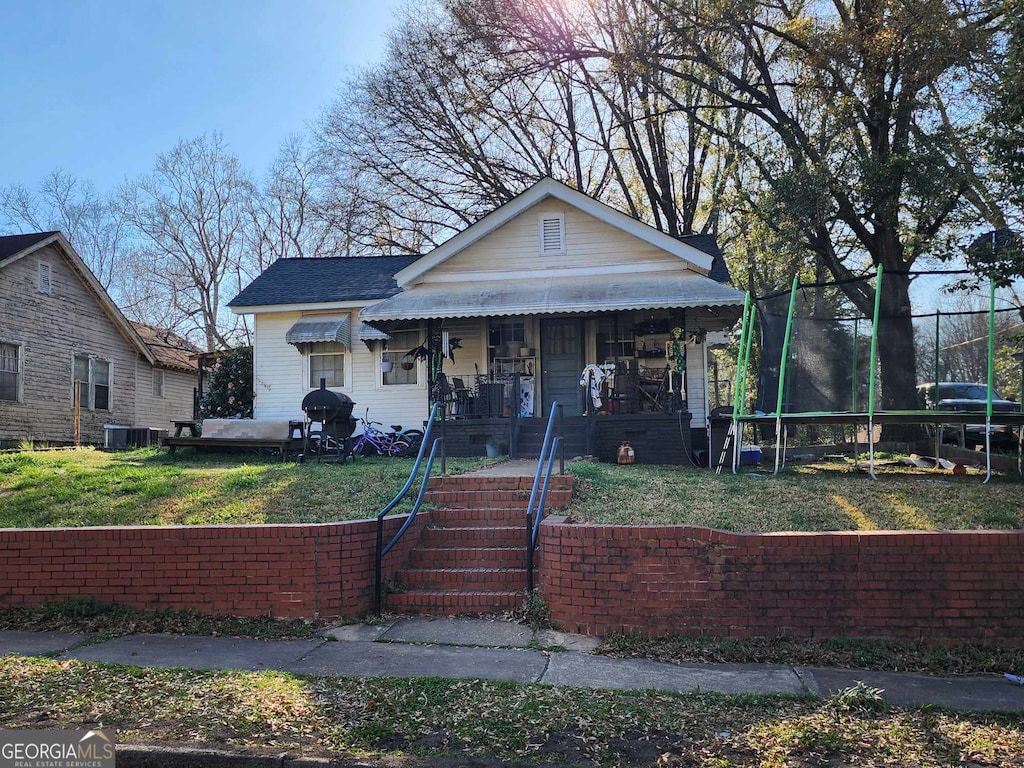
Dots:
pixel 553 297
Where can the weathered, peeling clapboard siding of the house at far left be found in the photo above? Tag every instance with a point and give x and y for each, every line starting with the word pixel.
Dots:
pixel 54 328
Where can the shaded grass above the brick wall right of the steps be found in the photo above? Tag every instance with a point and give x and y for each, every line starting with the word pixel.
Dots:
pixel 816 497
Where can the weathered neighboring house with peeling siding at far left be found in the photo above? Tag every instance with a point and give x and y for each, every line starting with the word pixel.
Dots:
pixel 66 348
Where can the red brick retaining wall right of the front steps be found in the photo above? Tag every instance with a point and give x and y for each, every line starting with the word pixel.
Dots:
pixel 688 581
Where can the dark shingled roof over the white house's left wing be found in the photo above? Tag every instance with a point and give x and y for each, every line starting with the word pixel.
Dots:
pixel 324 281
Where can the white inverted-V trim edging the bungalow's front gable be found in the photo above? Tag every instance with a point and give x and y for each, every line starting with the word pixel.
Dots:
pixel 696 259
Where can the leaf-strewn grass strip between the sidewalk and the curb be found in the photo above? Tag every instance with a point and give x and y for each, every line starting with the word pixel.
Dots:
pixel 272 712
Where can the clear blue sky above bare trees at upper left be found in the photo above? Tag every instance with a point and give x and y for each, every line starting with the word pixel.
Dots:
pixel 100 88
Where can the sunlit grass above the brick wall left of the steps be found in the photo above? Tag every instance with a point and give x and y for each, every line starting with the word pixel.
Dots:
pixel 146 488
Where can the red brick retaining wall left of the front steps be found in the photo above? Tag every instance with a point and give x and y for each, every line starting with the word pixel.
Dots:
pixel 280 571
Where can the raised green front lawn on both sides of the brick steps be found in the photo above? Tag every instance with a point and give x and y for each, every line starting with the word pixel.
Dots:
pixel 145 488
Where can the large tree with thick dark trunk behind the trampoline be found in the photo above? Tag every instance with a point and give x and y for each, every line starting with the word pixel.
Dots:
pixel 860 120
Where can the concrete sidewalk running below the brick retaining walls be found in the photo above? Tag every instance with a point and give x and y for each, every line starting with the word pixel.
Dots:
pixel 501 651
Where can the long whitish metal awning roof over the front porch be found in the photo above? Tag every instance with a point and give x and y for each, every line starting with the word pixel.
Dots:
pixel 556 296
